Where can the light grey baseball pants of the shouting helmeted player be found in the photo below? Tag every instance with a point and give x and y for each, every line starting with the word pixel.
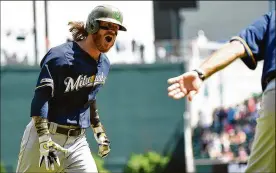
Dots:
pixel 78 160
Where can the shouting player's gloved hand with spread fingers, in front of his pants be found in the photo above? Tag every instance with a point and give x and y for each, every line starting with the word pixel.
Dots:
pixel 48 152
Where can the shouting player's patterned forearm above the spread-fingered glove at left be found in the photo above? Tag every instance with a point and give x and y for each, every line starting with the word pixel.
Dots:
pixel 41 125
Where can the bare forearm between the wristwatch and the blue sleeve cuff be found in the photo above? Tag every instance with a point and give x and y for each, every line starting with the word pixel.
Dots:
pixel 222 58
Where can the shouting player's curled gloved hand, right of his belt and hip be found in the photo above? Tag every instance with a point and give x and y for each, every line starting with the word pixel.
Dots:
pixel 104 144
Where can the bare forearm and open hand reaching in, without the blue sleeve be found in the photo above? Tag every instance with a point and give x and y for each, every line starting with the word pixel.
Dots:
pixel 189 83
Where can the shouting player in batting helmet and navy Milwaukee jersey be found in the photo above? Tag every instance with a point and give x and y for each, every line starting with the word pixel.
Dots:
pixel 64 102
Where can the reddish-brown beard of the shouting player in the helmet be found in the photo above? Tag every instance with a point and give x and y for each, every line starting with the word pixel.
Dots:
pixel 101 44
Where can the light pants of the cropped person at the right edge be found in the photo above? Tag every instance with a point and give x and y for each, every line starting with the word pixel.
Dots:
pixel 262 157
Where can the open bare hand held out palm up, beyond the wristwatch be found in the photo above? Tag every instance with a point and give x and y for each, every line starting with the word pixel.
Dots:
pixel 187 84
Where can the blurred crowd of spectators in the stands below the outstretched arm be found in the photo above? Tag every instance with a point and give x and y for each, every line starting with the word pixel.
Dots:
pixel 230 135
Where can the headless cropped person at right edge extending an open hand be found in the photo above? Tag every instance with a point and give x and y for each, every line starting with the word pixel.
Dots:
pixel 253 44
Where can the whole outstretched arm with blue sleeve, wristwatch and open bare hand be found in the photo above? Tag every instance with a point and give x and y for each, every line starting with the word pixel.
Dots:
pixel 247 46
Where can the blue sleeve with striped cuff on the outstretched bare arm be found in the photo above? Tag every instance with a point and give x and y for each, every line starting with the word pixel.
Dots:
pixel 253 38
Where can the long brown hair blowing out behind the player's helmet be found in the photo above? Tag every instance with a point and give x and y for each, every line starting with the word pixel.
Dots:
pixel 78 30
